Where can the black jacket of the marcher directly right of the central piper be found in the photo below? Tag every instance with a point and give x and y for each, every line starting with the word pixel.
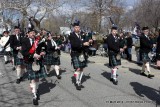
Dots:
pixel 113 44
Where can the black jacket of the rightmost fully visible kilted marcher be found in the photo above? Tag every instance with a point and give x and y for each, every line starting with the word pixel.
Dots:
pixel 145 44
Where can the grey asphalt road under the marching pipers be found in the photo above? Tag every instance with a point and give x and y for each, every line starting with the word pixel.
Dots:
pixel 132 90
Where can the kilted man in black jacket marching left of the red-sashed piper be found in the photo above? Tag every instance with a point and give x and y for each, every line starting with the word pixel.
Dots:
pixel 15 42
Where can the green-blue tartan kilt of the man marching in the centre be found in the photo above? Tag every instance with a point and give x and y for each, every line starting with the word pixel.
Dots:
pixel 77 64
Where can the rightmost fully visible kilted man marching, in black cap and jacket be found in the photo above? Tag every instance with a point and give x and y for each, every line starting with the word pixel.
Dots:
pixel 145 47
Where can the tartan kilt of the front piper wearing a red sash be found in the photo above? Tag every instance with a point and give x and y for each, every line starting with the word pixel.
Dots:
pixel 35 75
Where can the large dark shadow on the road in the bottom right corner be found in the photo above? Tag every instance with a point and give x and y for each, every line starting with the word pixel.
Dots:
pixel 149 92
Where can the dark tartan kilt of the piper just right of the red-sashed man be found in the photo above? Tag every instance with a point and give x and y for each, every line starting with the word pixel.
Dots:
pixel 50 60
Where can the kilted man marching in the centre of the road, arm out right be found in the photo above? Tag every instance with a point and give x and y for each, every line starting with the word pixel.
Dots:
pixel 77 54
